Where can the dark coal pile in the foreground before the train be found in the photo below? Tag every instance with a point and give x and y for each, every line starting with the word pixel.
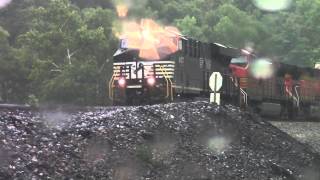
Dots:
pixel 195 141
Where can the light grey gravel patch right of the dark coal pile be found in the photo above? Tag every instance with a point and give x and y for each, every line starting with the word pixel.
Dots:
pixel 306 132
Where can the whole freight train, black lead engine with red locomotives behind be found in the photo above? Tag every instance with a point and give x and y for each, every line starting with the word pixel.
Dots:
pixel 185 74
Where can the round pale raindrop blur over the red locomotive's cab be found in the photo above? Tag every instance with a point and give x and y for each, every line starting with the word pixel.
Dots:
pixel 262 68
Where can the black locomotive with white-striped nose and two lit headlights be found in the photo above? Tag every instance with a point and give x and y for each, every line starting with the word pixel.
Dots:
pixel 183 74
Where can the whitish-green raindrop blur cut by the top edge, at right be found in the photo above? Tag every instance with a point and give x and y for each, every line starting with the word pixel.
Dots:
pixel 272 5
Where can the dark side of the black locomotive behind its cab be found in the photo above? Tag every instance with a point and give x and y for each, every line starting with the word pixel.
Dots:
pixel 196 63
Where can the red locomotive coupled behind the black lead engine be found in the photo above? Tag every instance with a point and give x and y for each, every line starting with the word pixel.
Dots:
pixel 296 89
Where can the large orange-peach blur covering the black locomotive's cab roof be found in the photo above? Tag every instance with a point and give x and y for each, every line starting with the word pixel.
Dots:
pixel 153 40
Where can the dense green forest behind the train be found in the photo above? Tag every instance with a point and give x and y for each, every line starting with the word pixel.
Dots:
pixel 60 51
